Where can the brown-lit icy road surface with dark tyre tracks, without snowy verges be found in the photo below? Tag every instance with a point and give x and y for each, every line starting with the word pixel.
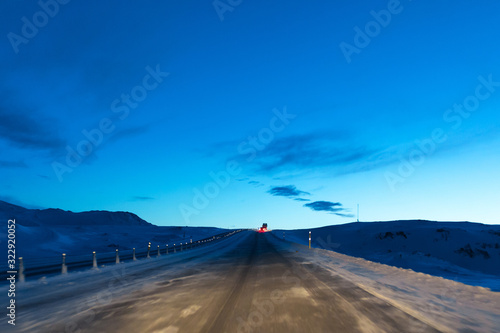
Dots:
pixel 254 287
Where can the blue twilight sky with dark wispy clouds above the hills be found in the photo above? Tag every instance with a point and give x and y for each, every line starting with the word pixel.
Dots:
pixel 232 113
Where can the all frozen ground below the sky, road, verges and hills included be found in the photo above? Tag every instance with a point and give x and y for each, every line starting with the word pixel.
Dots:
pixel 360 277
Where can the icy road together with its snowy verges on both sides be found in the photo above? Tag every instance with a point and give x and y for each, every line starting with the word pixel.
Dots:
pixel 254 283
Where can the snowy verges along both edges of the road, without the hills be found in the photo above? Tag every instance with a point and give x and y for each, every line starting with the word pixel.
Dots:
pixel 447 305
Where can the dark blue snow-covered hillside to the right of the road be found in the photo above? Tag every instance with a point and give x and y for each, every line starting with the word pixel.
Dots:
pixel 460 251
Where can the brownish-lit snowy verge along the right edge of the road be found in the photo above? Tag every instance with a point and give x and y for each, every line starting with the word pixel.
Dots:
pixel 447 305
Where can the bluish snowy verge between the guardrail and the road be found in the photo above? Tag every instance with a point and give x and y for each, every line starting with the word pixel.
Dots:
pixel 82 294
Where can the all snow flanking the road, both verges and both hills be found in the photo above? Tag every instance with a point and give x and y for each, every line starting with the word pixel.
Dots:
pixel 447 274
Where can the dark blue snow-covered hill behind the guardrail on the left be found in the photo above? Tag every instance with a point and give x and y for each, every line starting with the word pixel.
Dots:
pixel 50 232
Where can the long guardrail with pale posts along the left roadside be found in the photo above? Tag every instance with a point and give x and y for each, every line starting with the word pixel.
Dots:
pixel 45 266
